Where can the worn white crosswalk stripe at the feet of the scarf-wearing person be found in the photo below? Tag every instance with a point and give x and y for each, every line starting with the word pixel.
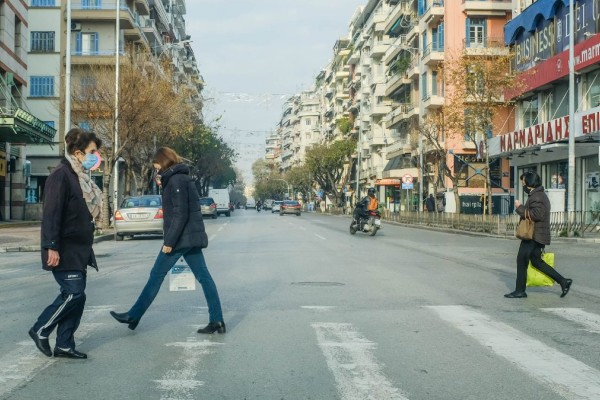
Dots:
pixel 24 362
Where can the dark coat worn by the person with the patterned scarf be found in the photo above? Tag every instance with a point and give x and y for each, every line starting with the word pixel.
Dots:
pixel 67 224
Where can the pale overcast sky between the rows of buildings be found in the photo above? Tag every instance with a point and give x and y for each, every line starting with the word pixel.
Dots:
pixel 254 54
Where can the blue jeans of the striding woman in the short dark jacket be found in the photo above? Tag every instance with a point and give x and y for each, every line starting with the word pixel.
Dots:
pixel 162 265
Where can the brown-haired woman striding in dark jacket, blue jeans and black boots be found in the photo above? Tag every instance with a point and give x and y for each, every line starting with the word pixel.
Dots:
pixel 184 236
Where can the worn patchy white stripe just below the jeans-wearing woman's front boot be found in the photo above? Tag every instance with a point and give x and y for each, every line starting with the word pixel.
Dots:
pixel 179 382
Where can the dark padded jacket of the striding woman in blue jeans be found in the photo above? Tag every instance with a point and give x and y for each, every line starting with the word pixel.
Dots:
pixel 183 224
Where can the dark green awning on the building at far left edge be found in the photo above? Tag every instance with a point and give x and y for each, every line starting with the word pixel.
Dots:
pixel 22 127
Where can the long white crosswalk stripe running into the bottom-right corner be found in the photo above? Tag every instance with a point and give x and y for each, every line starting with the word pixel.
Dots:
pixel 570 378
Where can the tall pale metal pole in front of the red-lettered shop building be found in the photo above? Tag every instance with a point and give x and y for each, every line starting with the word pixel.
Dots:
pixel 572 123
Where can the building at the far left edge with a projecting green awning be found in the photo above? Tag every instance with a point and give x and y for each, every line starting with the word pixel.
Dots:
pixel 20 127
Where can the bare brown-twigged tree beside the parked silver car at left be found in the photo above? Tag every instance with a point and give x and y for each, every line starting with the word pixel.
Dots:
pixel 151 104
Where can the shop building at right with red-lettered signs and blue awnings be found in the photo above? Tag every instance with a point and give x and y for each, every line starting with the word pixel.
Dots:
pixel 539 35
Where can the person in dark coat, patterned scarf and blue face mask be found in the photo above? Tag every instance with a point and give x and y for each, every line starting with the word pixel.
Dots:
pixel 72 204
